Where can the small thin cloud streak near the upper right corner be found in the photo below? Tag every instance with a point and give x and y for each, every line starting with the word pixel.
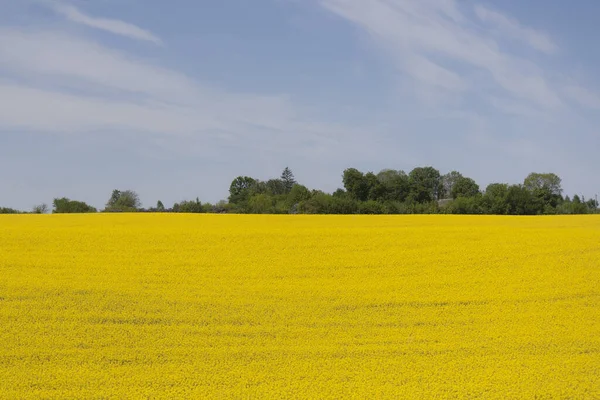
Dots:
pixel 512 28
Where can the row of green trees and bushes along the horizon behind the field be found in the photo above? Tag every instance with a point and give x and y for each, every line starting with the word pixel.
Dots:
pixel 422 191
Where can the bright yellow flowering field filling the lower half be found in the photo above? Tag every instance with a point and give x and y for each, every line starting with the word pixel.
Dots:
pixel 229 306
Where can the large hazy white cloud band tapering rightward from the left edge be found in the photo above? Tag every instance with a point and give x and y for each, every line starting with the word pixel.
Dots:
pixel 64 84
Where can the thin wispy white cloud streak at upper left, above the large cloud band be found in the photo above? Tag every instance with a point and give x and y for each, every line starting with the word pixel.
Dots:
pixel 114 26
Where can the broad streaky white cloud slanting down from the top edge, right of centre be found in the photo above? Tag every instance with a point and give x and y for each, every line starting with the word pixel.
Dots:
pixel 440 35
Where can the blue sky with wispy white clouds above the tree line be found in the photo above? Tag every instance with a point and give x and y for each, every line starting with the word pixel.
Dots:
pixel 175 99
